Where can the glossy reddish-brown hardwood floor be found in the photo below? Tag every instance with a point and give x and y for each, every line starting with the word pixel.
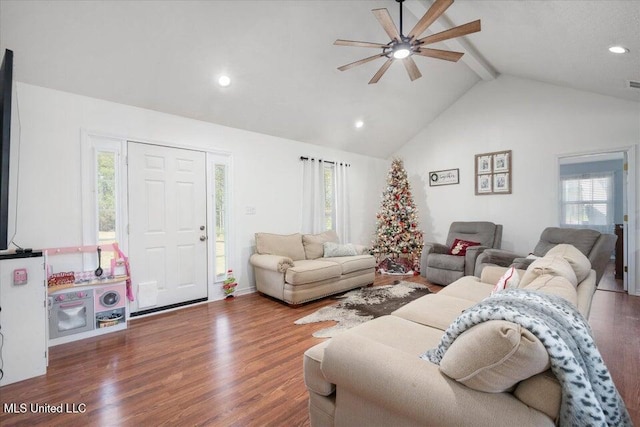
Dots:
pixel 236 362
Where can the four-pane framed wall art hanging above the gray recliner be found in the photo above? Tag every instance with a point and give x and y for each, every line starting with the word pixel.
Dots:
pixel 493 172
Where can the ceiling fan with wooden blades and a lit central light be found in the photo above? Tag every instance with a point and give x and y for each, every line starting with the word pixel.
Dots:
pixel 403 47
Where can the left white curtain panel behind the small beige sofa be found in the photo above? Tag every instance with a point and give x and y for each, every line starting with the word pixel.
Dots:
pixel 313 198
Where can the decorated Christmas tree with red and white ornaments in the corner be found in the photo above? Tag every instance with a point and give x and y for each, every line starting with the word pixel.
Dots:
pixel 397 236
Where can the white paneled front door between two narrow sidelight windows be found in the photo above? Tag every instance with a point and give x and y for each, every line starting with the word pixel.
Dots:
pixel 167 225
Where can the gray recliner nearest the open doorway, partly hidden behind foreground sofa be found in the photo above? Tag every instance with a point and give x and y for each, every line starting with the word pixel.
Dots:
pixel 596 246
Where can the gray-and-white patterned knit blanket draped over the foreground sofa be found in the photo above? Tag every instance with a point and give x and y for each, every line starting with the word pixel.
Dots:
pixel 589 396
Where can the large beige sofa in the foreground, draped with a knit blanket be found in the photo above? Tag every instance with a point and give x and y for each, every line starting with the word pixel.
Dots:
pixel 498 375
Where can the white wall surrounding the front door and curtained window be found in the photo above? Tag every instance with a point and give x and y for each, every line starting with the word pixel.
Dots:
pixel 266 170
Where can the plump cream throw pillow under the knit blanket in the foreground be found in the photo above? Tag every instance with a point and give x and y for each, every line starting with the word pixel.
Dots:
pixel 494 356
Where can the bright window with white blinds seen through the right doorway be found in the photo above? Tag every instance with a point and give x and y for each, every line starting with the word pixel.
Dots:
pixel 587 201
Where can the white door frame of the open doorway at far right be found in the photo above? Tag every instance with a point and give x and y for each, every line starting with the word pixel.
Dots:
pixel 630 227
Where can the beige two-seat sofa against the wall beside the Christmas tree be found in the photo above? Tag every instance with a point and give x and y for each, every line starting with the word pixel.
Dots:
pixel 295 268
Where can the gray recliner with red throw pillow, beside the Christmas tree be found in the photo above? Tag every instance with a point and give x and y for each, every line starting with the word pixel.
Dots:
pixel 438 266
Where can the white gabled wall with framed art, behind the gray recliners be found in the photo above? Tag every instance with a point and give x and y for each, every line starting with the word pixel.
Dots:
pixel 538 122
